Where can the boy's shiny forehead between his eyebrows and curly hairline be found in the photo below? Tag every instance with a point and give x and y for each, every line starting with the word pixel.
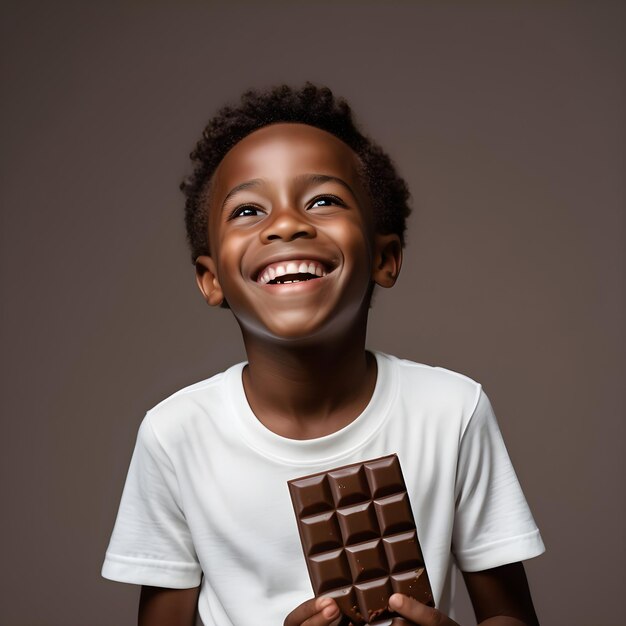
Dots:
pixel 283 151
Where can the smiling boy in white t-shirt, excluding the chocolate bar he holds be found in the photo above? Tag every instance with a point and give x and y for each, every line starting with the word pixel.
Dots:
pixel 293 217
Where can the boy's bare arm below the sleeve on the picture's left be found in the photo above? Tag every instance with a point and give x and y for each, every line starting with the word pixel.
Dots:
pixel 159 606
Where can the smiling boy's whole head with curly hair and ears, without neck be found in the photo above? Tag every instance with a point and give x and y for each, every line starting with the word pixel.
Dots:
pixel 295 222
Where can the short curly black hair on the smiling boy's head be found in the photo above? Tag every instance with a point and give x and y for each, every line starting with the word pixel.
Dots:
pixel 312 105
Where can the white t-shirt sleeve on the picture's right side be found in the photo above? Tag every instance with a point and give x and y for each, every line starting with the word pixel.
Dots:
pixel 493 523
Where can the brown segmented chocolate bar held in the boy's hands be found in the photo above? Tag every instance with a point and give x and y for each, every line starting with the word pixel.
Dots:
pixel 359 538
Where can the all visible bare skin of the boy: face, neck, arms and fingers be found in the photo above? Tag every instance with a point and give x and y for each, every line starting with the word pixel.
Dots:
pixel 291 193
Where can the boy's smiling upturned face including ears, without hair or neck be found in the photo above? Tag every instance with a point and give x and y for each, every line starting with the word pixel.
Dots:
pixel 291 233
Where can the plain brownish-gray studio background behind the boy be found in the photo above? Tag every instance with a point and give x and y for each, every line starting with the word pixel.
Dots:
pixel 506 120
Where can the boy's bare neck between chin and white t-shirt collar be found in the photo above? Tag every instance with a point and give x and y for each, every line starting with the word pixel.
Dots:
pixel 308 390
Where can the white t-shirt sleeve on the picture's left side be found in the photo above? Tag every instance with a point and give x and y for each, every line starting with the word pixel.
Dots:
pixel 151 543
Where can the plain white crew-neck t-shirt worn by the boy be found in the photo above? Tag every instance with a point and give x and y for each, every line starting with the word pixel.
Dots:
pixel 206 497
